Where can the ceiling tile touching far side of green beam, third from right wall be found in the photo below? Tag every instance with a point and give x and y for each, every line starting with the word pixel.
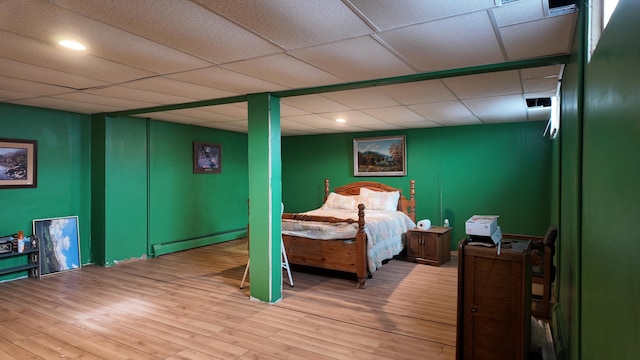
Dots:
pixel 418 92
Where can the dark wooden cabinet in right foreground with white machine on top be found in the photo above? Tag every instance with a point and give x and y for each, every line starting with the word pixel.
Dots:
pixel 494 302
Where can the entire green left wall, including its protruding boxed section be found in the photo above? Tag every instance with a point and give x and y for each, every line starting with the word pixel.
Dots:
pixel 130 182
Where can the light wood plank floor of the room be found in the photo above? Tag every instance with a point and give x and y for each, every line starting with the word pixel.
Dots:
pixel 188 305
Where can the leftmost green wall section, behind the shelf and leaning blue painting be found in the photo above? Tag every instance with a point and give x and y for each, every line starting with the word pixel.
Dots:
pixel 64 174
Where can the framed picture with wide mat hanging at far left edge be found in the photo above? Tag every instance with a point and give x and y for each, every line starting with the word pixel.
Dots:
pixel 18 163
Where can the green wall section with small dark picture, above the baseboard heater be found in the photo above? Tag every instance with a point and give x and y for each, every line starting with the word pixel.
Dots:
pixel 184 205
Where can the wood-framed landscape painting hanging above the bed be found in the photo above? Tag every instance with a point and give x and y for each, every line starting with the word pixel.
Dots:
pixel 380 156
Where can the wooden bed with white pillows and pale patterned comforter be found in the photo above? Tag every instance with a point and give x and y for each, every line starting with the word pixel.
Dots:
pixel 338 235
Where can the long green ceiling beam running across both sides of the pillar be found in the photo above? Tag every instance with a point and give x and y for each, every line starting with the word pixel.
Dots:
pixel 471 70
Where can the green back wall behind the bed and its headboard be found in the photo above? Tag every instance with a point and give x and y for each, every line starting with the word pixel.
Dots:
pixel 502 169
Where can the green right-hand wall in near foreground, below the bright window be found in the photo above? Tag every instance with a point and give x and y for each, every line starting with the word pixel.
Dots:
pixel 610 286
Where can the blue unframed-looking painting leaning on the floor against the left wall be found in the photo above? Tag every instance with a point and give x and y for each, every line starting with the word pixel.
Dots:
pixel 59 244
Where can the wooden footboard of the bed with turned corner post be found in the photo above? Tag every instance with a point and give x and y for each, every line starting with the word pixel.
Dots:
pixel 348 255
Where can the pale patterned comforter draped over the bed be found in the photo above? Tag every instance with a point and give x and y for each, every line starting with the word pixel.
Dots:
pixel 384 229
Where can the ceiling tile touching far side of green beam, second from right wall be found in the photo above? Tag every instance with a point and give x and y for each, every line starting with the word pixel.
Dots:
pixel 485 85
